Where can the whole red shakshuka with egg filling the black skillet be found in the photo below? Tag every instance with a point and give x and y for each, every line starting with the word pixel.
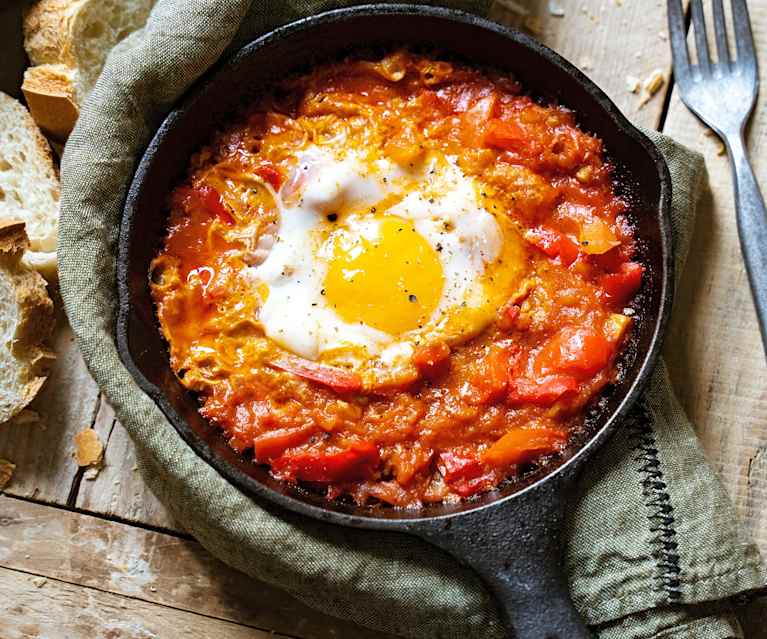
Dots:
pixel 399 281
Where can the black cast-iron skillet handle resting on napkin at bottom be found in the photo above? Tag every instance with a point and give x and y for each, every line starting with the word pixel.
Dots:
pixel 516 548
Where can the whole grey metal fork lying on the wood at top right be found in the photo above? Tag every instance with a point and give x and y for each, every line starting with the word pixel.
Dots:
pixel 723 95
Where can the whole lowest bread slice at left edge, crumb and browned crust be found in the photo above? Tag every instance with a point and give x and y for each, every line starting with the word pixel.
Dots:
pixel 26 323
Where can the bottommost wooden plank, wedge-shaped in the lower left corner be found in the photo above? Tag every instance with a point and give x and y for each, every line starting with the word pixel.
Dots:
pixel 58 610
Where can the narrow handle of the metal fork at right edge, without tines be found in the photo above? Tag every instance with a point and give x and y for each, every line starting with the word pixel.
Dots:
pixel 752 227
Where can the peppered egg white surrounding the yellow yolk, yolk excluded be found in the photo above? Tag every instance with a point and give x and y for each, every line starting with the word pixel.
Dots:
pixel 442 204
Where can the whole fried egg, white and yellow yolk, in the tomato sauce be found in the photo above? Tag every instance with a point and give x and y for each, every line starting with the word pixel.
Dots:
pixel 371 259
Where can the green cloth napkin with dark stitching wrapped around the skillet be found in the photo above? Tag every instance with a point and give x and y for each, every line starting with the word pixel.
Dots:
pixel 654 546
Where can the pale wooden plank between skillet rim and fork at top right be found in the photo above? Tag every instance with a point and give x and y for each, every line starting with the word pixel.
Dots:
pixel 608 40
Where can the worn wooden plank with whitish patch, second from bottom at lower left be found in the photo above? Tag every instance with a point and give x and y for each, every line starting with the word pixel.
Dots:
pixel 151 568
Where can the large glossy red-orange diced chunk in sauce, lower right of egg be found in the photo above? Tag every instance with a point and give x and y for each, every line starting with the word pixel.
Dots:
pixel 580 352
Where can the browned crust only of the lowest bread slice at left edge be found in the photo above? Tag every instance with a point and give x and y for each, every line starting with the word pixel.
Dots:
pixel 36 317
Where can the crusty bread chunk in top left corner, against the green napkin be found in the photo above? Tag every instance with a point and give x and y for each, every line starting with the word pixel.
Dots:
pixel 69 41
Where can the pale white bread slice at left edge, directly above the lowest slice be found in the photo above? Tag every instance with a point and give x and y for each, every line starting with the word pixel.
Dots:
pixel 29 186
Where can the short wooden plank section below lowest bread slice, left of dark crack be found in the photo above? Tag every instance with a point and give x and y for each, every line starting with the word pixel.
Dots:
pixel 41 450
